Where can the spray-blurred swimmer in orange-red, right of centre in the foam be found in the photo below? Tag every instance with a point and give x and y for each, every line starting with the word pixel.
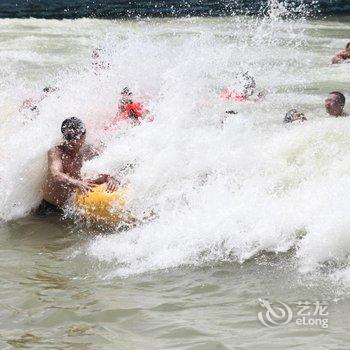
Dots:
pixel 248 90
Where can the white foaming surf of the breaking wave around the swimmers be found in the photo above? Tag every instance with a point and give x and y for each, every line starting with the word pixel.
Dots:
pixel 221 191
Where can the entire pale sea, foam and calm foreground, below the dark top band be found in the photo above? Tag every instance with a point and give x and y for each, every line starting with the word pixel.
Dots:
pixel 247 208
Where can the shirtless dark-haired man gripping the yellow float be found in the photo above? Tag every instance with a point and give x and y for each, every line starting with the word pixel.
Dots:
pixel 64 165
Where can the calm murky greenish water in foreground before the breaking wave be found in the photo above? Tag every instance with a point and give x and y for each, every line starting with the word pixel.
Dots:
pixel 52 298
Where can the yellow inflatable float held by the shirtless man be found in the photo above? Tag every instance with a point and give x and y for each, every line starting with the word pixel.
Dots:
pixel 101 206
